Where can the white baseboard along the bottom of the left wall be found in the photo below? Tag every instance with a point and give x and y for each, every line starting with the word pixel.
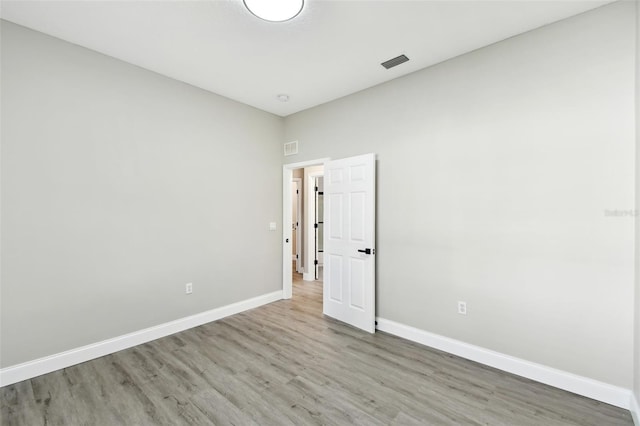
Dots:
pixel 48 364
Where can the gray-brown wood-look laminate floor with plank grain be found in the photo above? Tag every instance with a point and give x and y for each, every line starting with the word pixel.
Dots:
pixel 286 364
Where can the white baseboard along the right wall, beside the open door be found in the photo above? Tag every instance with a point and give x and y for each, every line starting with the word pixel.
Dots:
pixel 604 392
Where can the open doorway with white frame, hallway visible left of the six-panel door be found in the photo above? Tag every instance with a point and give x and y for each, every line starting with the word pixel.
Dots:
pixel 309 244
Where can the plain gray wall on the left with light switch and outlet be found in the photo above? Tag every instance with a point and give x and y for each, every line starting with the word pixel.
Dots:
pixel 119 186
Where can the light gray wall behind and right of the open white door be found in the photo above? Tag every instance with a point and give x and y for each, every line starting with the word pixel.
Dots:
pixel 494 173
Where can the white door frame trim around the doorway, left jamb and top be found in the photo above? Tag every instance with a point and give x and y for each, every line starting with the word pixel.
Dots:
pixel 287 234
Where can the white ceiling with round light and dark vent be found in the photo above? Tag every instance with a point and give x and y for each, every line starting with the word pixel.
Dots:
pixel 332 49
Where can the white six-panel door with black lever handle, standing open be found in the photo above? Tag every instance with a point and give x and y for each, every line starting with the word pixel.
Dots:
pixel 349 241
